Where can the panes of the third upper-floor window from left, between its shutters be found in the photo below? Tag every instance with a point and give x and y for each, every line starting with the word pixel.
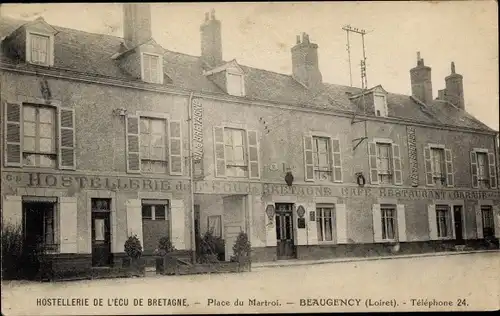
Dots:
pixel 234 145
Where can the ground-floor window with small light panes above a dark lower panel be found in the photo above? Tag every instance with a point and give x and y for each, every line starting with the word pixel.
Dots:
pixel 155 222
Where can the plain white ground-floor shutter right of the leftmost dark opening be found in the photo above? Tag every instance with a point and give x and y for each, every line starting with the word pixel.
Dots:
pixel 68 229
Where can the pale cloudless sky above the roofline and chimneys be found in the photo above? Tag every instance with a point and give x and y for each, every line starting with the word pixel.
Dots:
pixel 261 35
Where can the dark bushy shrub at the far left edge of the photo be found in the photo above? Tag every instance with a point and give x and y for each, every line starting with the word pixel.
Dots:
pixel 12 252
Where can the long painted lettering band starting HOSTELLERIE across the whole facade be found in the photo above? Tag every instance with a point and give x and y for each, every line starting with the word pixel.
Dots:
pixel 127 183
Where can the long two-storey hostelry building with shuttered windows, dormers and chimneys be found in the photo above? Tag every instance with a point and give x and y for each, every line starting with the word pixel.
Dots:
pixel 101 133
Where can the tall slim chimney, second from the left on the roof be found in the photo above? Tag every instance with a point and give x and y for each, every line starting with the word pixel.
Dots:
pixel 211 40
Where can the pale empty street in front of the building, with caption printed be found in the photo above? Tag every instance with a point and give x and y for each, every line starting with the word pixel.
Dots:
pixel 457 282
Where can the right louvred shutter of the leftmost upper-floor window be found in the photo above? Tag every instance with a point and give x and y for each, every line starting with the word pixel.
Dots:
pixel 67 138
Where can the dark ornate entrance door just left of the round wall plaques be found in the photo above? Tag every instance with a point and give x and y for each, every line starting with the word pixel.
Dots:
pixel 284 231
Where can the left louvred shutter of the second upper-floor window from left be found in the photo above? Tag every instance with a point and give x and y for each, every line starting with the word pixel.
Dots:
pixel 132 128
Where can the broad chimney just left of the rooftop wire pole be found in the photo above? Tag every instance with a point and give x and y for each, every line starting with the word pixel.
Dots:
pixel 305 67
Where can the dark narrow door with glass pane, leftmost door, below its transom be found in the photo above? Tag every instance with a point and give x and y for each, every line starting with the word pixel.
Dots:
pixel 101 239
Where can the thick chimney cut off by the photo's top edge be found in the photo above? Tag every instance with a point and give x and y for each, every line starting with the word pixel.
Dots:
pixel 136 23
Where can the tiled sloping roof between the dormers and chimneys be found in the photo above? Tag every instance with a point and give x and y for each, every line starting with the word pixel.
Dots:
pixel 91 53
